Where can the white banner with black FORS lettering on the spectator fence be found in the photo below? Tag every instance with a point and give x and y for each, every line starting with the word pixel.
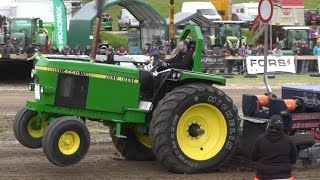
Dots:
pixel 255 64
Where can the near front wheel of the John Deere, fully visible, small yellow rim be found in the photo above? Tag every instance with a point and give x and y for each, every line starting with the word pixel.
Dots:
pixel 66 141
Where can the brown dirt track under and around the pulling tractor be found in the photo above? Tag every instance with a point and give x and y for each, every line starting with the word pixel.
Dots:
pixel 102 161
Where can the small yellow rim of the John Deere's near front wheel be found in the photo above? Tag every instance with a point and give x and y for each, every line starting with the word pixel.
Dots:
pixel 69 142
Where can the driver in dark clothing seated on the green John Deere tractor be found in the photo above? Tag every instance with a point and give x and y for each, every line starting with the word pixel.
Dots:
pixel 183 60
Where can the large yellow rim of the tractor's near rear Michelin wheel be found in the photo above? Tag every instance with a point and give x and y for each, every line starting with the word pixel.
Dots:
pixel 201 132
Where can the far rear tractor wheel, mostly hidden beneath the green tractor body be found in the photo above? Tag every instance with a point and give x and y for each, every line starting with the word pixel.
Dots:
pixel 136 146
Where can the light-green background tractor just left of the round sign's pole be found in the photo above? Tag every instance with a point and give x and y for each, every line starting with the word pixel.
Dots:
pixel 227 33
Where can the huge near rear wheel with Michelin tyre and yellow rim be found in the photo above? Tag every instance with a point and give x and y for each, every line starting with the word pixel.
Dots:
pixel 194 129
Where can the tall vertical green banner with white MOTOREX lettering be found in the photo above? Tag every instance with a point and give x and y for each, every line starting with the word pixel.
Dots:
pixel 60 18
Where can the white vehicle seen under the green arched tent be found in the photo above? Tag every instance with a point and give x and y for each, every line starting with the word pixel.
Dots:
pixel 127 20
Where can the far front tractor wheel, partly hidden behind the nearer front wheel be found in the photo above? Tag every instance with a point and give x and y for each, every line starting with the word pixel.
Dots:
pixel 26 130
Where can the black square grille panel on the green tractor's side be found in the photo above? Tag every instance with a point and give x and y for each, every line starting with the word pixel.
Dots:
pixel 72 91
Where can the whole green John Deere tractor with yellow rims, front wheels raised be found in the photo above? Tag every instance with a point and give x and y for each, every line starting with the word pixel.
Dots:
pixel 190 125
